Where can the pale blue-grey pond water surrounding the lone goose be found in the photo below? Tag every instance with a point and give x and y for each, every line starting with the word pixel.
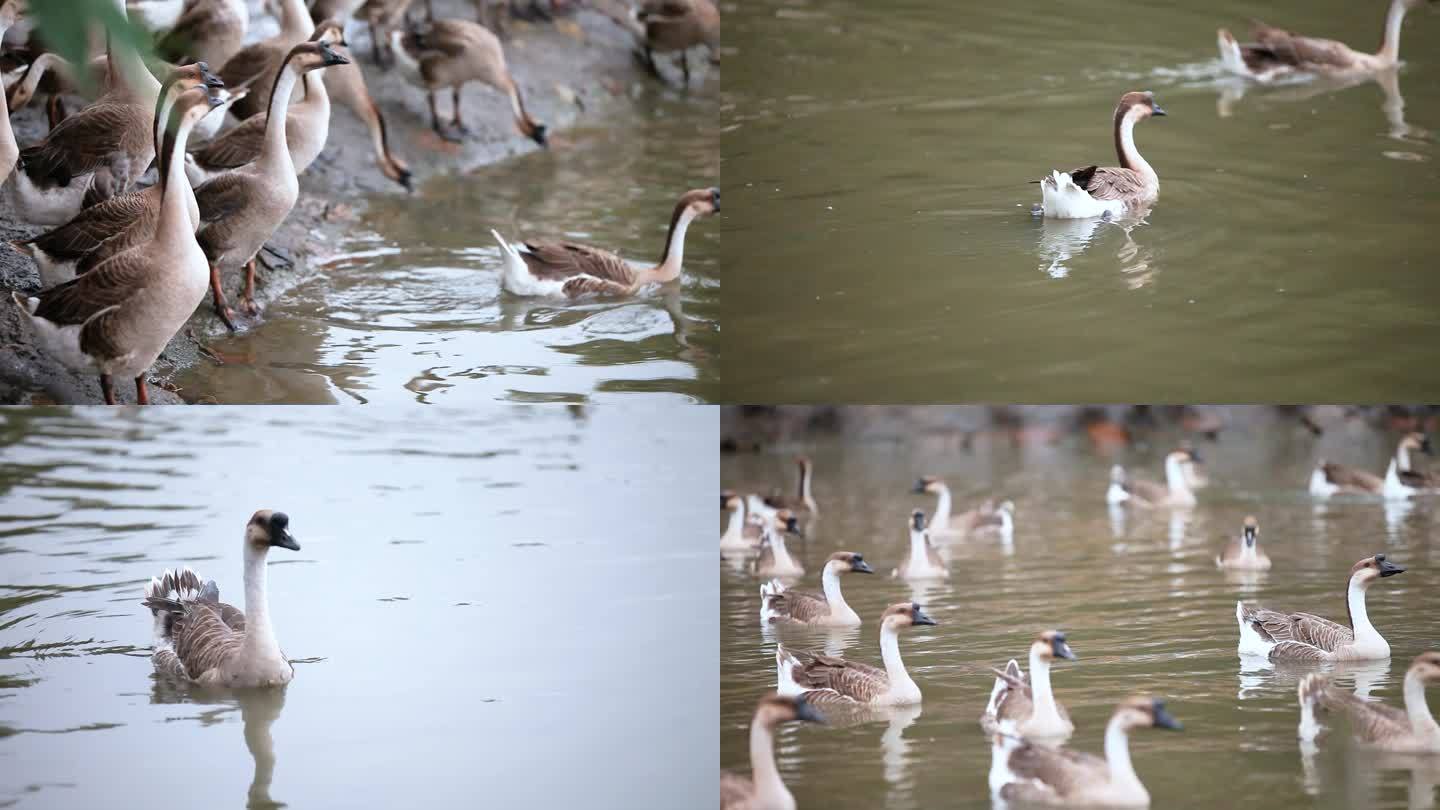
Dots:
pixel 473 615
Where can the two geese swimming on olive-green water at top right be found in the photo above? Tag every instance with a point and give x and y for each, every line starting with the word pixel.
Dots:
pixel 1133 187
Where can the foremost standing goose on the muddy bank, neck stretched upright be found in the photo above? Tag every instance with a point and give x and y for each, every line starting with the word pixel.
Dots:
pixel 120 316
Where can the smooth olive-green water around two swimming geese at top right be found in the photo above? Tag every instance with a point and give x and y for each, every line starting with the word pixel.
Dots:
pixel 881 244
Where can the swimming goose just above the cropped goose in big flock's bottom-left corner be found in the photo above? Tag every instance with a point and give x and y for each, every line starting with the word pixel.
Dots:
pixel 832 681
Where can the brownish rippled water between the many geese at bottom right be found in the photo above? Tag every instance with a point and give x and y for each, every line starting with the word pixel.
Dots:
pixel 1138 595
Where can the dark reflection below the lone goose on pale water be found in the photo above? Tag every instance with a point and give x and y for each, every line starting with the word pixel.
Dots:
pixel 260 710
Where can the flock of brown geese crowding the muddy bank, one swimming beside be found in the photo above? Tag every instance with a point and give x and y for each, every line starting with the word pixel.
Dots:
pixel 125 267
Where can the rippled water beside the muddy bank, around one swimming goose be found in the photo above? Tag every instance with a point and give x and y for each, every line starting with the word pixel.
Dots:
pixel 413 309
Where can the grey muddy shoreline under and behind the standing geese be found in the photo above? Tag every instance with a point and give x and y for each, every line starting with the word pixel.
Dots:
pixel 574 73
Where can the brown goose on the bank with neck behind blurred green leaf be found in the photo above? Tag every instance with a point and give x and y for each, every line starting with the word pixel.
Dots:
pixel 94 153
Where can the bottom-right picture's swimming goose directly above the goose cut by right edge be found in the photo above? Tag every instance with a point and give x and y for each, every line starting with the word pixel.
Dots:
pixel 1305 638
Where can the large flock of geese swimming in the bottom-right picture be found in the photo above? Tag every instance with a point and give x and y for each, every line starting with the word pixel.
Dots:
pixel 1026 720
